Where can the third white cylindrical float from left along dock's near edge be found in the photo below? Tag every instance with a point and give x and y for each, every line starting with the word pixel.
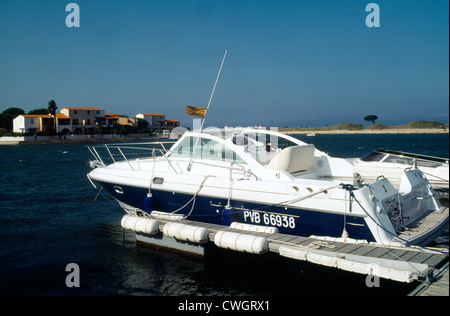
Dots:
pixel 241 242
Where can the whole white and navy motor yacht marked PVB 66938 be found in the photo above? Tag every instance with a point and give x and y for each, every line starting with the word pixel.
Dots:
pixel 264 178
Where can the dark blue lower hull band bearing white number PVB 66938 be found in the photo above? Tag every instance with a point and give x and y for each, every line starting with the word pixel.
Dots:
pixel 290 221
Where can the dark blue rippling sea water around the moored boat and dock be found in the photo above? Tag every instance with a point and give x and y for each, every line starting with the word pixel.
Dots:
pixel 48 219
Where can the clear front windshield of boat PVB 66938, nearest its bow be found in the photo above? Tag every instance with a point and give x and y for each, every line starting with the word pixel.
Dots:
pixel 207 149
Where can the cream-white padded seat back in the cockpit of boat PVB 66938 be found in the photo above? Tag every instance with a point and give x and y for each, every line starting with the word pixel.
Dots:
pixel 293 159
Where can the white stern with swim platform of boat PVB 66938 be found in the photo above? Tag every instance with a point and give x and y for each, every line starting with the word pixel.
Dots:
pixel 410 215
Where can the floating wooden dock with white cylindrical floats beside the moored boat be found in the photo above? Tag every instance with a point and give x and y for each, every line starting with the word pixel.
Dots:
pixel 398 263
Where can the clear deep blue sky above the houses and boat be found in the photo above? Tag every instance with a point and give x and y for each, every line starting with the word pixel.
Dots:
pixel 290 63
